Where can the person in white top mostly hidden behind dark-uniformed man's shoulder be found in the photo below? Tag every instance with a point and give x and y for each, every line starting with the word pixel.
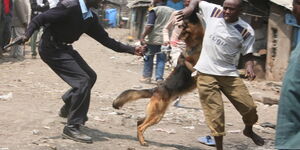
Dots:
pixel 37 7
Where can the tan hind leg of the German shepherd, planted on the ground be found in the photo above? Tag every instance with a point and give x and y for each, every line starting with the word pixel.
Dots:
pixel 154 113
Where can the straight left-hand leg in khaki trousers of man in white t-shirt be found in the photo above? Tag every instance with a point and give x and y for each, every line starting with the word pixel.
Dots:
pixel 212 105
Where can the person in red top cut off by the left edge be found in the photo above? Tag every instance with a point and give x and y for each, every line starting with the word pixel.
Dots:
pixel 5 23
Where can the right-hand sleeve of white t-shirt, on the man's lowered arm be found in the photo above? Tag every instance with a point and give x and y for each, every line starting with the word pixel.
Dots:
pixel 247 45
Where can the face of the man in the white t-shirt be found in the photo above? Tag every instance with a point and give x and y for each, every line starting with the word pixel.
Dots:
pixel 232 9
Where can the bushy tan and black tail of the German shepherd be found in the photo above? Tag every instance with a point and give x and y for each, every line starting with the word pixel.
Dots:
pixel 131 95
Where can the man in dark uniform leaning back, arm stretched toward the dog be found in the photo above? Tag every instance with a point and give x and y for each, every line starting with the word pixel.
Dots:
pixel 64 24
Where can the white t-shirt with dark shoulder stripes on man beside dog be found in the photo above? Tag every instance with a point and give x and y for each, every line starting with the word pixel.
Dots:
pixel 223 42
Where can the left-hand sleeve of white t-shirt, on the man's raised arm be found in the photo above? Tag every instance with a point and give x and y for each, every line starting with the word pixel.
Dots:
pixel 208 9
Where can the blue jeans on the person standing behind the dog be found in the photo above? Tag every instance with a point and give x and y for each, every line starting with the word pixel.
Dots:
pixel 160 62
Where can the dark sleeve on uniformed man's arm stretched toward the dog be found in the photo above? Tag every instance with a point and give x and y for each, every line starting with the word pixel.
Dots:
pixel 97 32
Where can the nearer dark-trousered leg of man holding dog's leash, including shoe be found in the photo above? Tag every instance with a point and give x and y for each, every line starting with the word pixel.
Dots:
pixel 65 63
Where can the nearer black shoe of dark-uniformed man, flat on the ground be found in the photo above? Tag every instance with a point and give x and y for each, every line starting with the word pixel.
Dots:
pixel 73 132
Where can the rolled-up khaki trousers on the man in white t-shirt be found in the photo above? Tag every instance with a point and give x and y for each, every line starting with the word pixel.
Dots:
pixel 210 88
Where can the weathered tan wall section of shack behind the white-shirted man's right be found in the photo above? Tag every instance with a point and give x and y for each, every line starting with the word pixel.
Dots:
pixel 279 44
